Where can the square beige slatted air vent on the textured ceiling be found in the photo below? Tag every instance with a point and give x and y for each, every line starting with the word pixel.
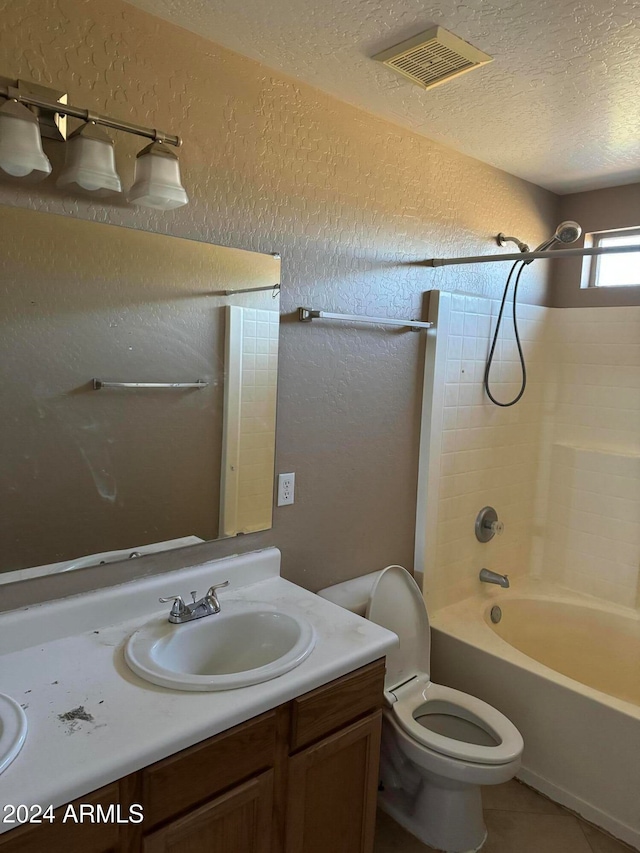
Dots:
pixel 433 57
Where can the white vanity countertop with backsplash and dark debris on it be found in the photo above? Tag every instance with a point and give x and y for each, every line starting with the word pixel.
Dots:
pixel 69 653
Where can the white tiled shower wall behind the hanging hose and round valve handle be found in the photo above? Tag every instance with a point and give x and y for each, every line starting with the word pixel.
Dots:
pixel 481 454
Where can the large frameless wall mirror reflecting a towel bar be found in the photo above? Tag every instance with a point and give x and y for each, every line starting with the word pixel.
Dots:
pixel 138 391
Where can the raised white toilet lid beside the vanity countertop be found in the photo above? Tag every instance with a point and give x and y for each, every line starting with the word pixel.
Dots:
pixel 396 603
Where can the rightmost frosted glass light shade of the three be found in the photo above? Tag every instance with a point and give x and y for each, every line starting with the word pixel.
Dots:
pixel 157 181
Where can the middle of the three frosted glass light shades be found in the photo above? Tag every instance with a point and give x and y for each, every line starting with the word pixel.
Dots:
pixel 90 162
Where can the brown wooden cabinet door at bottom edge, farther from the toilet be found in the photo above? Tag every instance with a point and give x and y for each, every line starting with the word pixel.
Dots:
pixel 237 822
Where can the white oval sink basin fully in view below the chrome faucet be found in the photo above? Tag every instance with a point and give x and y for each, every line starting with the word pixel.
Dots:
pixel 246 643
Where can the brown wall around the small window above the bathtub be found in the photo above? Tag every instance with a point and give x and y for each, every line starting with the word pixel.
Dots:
pixel 597 210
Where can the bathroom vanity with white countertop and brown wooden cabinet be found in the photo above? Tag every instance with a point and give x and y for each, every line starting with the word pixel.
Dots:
pixel 289 765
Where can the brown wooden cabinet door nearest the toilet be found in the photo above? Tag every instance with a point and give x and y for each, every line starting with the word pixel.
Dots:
pixel 331 804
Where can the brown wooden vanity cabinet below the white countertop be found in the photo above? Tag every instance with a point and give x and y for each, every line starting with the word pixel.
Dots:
pixel 299 779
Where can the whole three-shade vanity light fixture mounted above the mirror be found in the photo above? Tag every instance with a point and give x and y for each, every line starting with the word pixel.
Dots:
pixel 90 163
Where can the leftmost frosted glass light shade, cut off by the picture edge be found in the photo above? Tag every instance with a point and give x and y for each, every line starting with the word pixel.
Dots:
pixel 21 151
